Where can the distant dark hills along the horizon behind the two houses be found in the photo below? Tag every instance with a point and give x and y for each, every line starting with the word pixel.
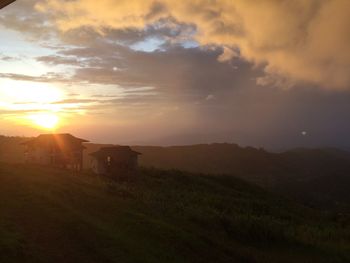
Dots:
pixel 303 174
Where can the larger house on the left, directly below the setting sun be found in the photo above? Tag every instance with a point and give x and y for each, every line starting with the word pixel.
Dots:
pixel 58 150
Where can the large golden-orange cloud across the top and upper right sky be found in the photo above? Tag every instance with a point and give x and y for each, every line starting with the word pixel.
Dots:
pixel 294 41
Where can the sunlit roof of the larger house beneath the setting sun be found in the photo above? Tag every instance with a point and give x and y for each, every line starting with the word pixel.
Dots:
pixel 59 139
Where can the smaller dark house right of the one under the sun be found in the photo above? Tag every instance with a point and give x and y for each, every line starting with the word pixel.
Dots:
pixel 114 160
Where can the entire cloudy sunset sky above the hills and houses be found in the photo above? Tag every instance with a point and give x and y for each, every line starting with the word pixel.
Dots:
pixel 265 73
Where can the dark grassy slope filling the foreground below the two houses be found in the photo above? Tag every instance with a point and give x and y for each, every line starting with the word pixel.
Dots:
pixel 53 216
